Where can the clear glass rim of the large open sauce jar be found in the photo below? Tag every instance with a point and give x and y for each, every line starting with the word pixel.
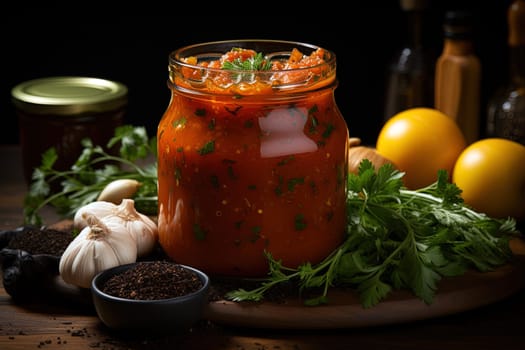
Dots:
pixel 249 81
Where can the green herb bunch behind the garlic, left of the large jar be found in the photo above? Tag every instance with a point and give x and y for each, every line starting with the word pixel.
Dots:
pixel 93 170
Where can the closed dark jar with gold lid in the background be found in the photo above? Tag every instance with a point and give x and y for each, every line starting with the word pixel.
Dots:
pixel 61 111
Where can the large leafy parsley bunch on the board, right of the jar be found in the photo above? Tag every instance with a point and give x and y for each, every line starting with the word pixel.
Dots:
pixel 398 239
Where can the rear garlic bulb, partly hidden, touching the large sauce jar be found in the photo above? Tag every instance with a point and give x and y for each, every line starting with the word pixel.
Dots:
pixel 140 226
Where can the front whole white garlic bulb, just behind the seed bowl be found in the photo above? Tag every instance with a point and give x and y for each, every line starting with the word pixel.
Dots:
pixel 99 246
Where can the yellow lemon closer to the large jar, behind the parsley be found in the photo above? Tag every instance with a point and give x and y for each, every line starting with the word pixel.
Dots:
pixel 421 141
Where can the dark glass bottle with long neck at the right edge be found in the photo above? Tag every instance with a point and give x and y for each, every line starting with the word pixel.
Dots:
pixel 506 109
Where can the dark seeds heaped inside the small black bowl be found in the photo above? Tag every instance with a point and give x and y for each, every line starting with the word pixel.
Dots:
pixel 153 280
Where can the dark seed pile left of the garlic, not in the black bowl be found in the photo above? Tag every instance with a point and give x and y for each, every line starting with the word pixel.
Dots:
pixel 42 241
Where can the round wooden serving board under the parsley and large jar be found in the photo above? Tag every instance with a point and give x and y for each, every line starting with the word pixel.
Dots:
pixel 454 295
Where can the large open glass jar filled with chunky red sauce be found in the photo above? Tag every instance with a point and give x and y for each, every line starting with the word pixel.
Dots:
pixel 251 160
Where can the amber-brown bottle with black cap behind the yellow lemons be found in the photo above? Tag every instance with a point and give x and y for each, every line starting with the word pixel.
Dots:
pixel 458 74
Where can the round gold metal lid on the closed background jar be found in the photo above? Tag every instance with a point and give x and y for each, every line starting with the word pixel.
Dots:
pixel 69 95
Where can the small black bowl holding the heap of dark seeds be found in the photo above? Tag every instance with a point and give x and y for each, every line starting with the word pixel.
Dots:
pixel 150 316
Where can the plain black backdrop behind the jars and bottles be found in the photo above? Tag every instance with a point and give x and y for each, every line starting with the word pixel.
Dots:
pixel 134 50
